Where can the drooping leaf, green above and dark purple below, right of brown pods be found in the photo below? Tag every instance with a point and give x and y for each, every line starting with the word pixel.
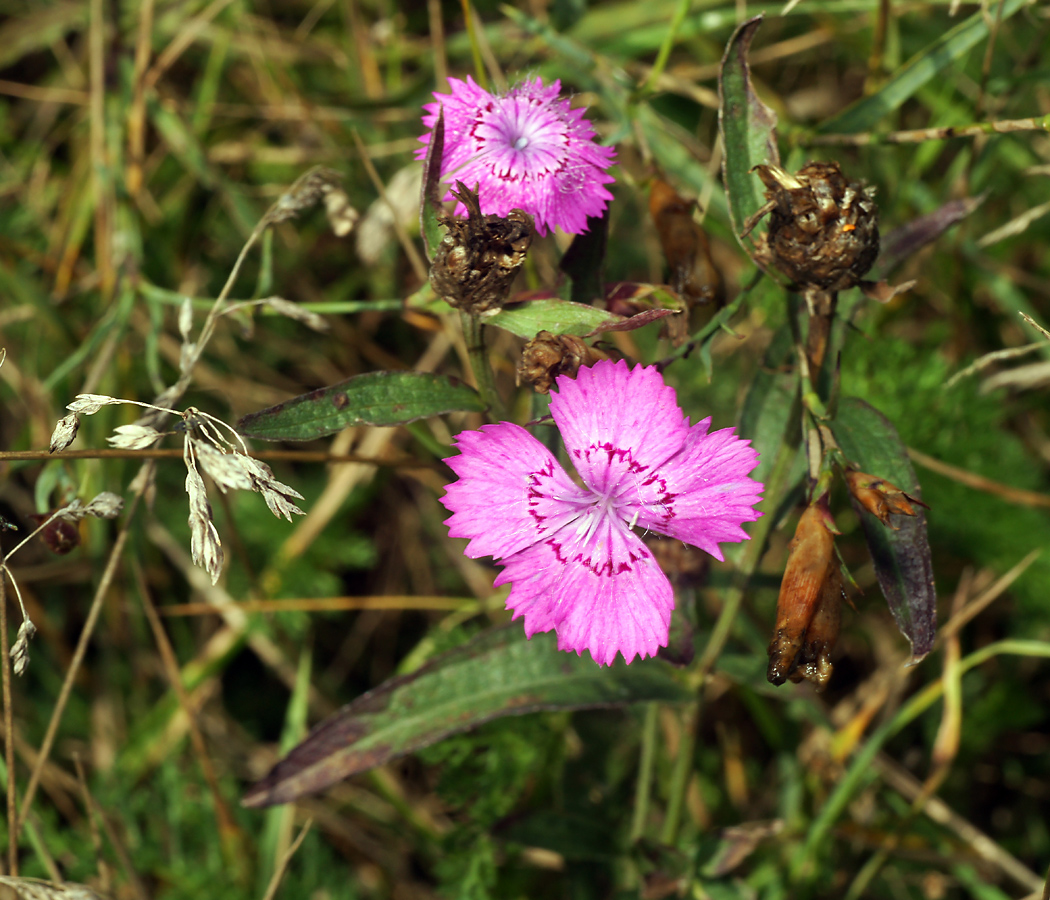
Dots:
pixel 902 558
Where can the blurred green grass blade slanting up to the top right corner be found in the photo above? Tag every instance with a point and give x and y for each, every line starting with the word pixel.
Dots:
pixel 918 72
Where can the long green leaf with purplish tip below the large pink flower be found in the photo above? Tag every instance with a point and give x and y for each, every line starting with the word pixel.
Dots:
pixel 496 675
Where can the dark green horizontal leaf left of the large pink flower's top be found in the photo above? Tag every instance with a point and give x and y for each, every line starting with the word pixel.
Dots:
pixel 379 399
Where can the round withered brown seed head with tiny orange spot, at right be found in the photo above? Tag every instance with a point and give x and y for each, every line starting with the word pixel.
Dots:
pixel 824 231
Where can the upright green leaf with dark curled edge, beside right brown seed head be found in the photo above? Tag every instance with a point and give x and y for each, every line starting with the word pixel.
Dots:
pixel 748 130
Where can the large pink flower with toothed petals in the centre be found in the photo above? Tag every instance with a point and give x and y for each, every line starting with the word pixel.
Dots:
pixel 571 551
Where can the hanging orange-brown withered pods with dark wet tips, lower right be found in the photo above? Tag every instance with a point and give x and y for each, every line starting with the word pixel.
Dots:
pixel 809 609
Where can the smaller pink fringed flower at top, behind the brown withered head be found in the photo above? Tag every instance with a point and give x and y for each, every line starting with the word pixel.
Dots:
pixel 527 151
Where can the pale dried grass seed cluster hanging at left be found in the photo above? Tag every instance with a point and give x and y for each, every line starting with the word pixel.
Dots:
pixel 205 447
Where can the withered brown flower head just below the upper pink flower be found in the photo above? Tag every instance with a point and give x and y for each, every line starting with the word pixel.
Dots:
pixel 479 257
